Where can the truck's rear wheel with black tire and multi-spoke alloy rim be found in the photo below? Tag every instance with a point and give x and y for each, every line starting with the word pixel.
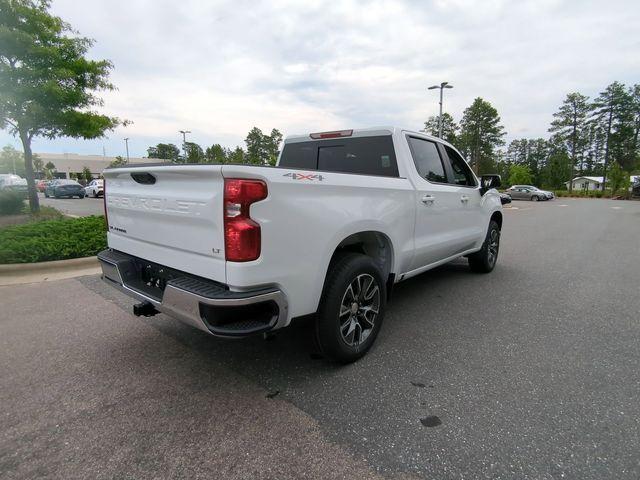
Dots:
pixel 347 324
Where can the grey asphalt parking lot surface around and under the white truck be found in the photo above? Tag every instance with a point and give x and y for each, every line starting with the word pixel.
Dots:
pixel 532 372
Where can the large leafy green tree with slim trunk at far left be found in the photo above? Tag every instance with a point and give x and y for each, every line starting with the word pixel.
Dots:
pixel 47 85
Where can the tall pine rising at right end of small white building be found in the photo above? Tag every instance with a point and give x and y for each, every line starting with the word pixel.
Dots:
pixel 614 114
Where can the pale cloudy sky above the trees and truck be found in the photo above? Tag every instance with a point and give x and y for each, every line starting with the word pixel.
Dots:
pixel 218 68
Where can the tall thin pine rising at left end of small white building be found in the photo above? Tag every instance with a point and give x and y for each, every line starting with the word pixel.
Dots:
pixel 570 124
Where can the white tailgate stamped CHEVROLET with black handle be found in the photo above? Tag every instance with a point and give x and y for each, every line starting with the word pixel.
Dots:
pixel 170 215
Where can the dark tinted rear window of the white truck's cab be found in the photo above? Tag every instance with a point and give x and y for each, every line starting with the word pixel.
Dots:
pixel 363 155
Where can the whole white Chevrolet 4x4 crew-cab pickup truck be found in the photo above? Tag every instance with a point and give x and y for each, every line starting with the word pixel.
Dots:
pixel 236 250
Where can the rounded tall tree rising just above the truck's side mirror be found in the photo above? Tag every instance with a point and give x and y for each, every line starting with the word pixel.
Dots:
pixel 480 134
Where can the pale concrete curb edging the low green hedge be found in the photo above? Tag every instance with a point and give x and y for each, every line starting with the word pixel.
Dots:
pixel 21 273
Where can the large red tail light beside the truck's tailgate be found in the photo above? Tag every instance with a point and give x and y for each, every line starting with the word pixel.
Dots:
pixel 242 237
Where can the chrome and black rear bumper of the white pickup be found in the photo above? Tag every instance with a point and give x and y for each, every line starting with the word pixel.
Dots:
pixel 207 305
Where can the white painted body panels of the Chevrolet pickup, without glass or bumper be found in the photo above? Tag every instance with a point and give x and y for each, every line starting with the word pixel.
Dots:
pixel 178 222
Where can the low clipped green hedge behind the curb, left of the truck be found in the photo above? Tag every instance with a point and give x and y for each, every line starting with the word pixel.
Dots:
pixel 52 240
